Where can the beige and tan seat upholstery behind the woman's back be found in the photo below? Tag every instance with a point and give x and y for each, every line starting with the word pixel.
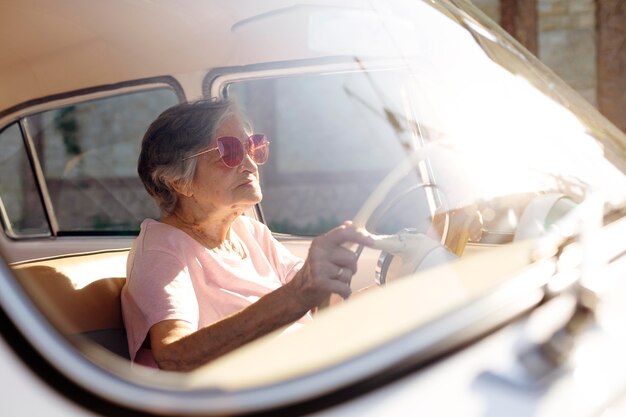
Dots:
pixel 80 294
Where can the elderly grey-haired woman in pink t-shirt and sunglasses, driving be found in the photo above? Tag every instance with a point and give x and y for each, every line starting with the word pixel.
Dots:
pixel 205 279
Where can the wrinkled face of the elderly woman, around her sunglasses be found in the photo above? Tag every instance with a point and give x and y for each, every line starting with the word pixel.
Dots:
pixel 218 187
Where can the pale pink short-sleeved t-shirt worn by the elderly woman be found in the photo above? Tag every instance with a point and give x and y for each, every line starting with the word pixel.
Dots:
pixel 172 276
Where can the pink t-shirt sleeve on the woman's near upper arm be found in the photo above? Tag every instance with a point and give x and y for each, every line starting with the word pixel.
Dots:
pixel 159 288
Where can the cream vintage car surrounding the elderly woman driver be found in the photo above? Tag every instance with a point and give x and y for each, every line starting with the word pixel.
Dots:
pixel 496 194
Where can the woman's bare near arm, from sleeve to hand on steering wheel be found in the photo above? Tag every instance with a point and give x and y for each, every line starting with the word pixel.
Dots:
pixel 178 347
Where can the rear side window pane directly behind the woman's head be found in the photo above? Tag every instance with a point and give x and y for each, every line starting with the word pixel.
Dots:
pixel 88 154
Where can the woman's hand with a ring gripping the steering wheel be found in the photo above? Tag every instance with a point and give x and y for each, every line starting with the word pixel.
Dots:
pixel 329 266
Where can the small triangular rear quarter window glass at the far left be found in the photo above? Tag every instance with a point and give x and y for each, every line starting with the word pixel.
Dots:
pixel 20 204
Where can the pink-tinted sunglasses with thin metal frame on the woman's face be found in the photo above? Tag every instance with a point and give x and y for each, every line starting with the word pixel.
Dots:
pixel 232 150
